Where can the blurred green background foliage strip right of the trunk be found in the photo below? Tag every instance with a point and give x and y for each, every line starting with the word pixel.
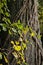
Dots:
pixel 40 11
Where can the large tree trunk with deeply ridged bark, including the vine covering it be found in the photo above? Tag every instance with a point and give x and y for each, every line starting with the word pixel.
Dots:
pixel 19 21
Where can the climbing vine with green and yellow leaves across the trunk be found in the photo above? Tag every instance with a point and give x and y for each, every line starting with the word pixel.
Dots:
pixel 17 32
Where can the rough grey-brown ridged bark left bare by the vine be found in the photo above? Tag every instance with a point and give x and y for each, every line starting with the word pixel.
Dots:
pixel 27 13
